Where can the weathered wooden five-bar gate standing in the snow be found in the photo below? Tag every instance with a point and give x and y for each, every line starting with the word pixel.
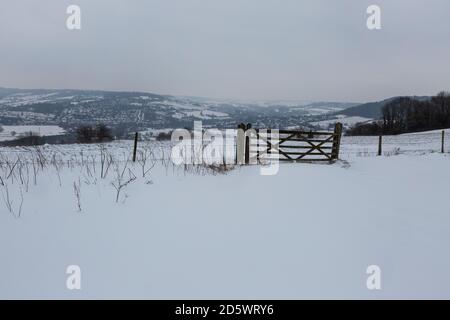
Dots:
pixel 292 145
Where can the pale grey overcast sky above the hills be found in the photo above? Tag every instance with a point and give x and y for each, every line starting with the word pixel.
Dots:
pixel 241 49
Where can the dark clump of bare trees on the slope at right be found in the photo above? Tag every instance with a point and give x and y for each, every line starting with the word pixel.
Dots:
pixel 405 114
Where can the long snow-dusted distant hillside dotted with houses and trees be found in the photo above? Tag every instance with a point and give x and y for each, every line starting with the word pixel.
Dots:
pixel 138 111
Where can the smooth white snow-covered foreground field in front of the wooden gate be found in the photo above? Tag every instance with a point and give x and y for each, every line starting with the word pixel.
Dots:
pixel 310 231
